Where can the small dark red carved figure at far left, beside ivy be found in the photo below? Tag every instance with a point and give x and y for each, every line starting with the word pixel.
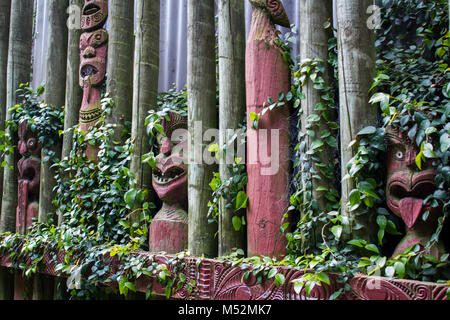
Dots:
pixel 29 167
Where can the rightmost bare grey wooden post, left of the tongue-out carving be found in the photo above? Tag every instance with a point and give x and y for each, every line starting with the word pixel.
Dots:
pixel 356 70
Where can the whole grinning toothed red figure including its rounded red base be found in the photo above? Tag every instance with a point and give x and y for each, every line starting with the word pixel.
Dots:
pixel 169 228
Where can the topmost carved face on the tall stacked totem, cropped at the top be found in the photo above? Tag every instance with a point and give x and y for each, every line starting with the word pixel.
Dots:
pixel 94 14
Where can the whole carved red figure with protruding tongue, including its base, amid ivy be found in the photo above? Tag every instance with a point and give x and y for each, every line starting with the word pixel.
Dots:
pixel 406 189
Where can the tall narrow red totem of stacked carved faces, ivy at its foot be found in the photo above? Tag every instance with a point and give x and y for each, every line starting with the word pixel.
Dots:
pixel 93 51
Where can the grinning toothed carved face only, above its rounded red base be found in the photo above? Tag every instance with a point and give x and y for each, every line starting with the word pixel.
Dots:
pixel 170 175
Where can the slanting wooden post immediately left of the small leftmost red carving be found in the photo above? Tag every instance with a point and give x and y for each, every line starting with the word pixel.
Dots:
pixel 18 71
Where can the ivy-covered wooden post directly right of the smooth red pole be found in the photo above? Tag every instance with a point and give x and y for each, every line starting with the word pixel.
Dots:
pixel 314 44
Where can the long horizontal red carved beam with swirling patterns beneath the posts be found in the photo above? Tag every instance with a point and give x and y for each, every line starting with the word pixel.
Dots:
pixel 221 280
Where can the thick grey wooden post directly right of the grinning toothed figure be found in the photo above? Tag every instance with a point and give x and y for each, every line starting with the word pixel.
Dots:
pixel 201 80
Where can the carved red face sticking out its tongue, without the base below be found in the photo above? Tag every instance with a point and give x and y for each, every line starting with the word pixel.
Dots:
pixel 407 187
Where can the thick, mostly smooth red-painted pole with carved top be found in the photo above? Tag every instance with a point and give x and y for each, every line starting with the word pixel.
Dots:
pixel 267 74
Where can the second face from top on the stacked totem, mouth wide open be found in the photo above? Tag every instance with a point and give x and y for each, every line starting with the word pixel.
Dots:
pixel 93 50
